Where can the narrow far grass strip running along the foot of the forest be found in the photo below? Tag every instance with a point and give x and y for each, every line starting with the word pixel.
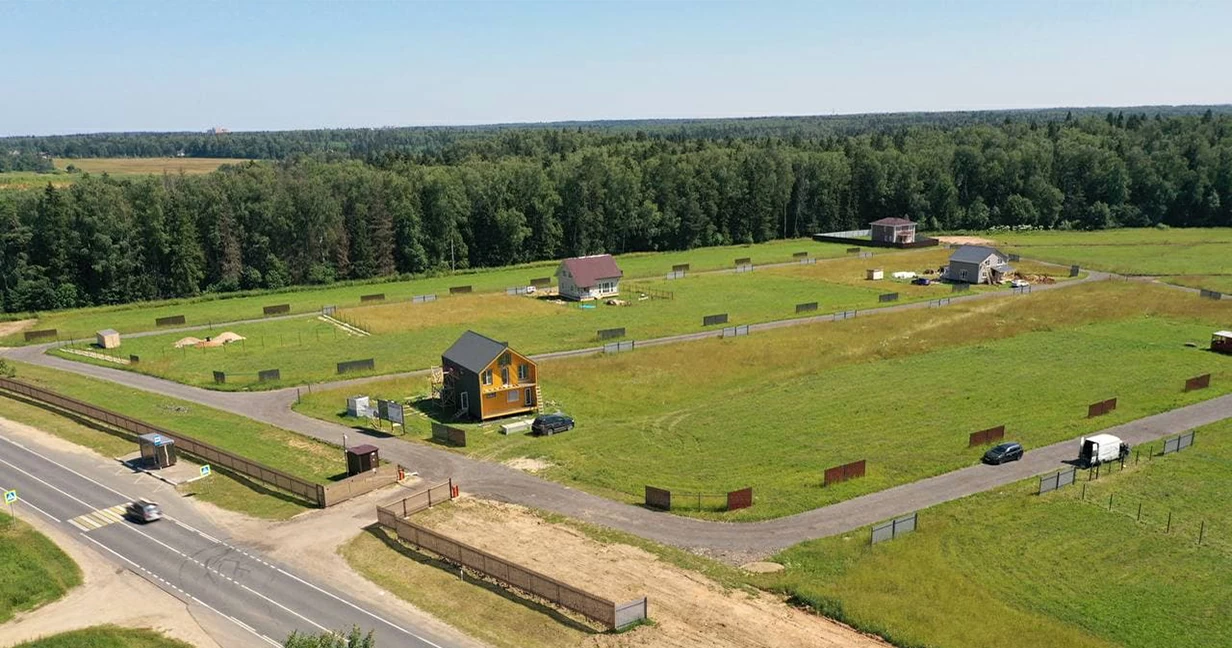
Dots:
pixel 219 309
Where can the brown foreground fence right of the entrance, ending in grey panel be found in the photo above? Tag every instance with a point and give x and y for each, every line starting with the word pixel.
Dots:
pixel 599 609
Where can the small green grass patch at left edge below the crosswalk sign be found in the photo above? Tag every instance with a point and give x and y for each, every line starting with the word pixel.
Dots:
pixel 34 571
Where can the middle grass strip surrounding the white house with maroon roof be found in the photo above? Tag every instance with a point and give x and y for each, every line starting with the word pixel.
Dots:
pixel 410 337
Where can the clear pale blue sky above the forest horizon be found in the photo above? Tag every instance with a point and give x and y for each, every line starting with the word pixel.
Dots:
pixel 177 66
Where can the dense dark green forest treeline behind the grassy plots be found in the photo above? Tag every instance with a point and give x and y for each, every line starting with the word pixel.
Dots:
pixel 525 195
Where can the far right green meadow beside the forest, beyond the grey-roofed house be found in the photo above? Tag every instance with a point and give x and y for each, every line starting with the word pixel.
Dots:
pixel 1198 258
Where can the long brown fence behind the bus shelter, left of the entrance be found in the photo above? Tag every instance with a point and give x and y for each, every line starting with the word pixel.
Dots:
pixel 215 456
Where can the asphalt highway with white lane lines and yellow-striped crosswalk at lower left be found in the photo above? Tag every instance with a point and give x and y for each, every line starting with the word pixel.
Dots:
pixel 188 561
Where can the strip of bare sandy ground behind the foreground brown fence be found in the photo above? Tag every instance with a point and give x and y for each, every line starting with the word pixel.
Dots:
pixel 688 609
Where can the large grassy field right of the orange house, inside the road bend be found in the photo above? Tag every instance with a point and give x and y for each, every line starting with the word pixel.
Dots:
pixel 904 391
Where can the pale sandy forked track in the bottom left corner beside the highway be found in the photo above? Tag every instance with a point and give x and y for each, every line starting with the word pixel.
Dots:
pixel 109 596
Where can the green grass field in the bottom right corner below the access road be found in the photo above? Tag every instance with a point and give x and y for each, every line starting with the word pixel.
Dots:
pixel 1012 570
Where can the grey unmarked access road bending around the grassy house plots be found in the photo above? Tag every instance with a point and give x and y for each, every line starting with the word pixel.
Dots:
pixel 734 543
